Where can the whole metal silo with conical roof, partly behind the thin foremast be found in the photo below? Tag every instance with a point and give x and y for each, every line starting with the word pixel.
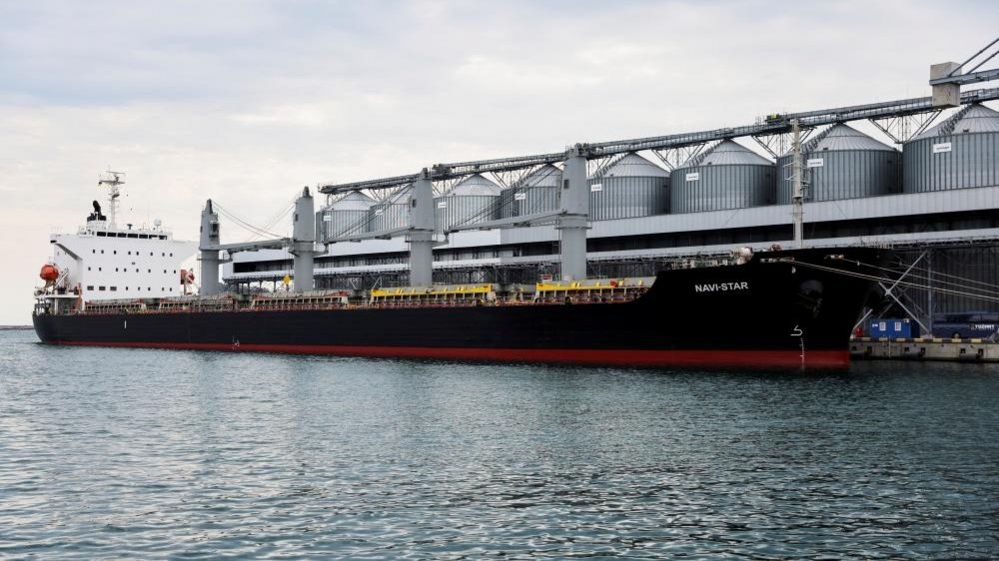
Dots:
pixel 842 163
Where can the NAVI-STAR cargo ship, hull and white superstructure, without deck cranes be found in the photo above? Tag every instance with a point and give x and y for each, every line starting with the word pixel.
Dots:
pixel 124 287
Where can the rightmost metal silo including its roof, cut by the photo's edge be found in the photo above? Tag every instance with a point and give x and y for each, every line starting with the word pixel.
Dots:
pixel 959 153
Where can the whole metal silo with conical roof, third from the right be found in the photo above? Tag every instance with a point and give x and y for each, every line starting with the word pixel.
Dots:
pixel 726 176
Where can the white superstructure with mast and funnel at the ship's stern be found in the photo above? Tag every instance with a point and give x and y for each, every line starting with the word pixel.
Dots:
pixel 105 261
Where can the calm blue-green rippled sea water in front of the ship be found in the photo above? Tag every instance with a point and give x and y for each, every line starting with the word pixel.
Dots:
pixel 168 454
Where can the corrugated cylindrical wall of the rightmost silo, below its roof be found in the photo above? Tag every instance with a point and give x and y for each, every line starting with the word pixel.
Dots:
pixel 951 162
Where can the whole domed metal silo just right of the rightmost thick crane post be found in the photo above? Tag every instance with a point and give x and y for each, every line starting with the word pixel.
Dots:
pixel 627 188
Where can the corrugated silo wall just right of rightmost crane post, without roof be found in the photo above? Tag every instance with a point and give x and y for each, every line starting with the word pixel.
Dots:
pixel 628 197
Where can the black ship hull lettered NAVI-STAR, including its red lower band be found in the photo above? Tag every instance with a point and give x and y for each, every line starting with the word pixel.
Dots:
pixel 782 309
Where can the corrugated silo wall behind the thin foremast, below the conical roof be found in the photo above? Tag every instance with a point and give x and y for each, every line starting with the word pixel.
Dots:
pixel 843 174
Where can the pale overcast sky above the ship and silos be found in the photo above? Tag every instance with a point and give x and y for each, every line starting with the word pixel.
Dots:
pixel 247 101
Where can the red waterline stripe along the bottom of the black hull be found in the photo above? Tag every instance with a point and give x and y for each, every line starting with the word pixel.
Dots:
pixel 616 357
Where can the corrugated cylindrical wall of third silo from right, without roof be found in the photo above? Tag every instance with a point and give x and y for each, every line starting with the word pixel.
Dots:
pixel 724 187
